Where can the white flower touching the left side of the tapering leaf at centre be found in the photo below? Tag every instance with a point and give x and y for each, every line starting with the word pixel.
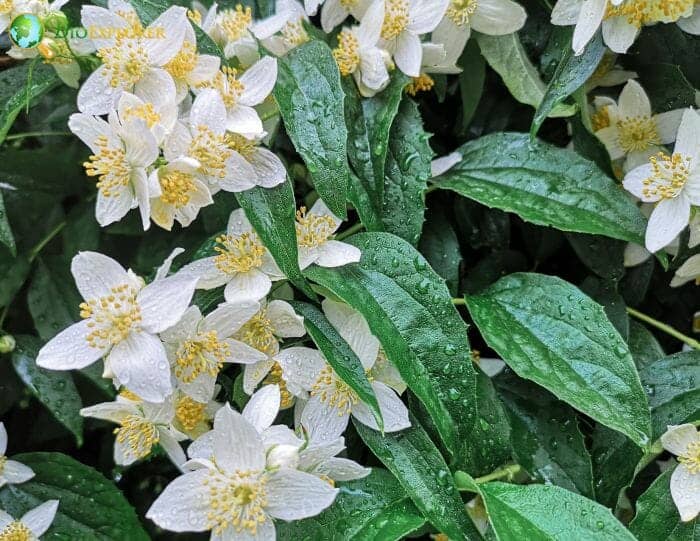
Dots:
pixel 243 264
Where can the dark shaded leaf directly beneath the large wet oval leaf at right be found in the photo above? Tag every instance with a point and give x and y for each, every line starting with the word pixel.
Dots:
pixel 545 436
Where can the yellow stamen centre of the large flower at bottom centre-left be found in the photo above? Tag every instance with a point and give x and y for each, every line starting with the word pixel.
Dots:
pixel 237 500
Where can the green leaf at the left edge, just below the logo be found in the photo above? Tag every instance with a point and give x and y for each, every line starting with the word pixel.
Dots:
pixel 19 86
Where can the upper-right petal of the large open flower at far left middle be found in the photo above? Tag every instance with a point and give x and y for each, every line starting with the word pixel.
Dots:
pixel 164 301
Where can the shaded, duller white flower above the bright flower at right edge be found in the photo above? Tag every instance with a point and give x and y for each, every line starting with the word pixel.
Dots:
pixel 633 132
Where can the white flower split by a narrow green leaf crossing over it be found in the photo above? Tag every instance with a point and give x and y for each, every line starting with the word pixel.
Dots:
pixel 332 401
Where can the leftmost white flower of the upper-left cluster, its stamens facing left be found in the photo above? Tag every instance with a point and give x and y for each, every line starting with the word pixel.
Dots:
pixel 121 154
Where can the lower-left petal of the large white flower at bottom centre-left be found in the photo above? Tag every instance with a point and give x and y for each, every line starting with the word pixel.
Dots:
pixel 184 504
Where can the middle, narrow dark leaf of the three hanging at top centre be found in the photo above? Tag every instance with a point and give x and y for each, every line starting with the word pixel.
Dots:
pixel 369 121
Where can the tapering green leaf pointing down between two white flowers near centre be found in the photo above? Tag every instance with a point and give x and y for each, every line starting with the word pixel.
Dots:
pixel 272 212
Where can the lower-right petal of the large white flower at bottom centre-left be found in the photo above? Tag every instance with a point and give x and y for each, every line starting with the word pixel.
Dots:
pixel 293 495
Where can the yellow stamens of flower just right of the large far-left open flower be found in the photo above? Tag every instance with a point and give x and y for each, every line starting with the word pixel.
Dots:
pixel 205 354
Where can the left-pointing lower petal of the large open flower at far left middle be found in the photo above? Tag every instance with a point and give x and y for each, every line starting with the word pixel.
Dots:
pixel 69 349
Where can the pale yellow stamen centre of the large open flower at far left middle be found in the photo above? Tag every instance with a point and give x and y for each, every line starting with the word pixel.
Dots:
pixel 112 317
